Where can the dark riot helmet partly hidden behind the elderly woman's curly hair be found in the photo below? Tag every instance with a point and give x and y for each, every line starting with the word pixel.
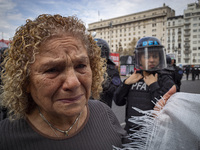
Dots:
pixel 105 50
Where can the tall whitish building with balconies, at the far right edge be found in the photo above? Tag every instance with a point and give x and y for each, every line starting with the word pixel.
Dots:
pixel 192 34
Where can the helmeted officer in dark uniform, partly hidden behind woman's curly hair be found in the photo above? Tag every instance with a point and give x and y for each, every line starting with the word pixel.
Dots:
pixel 112 80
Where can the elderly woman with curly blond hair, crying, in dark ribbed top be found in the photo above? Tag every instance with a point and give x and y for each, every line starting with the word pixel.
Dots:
pixel 52 68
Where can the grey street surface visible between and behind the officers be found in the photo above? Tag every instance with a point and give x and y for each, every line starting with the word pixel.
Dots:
pixel 188 86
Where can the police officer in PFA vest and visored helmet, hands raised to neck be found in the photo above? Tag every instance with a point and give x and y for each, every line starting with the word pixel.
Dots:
pixel 140 89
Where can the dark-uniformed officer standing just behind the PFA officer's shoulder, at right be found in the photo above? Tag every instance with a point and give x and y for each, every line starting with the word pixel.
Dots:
pixel 178 74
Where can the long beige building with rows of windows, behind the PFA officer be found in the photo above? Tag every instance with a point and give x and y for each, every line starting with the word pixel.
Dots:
pixel 121 31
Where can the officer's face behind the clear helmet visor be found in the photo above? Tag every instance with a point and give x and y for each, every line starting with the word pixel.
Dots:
pixel 151 61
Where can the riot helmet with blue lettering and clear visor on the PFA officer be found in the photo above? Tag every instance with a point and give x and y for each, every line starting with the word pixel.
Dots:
pixel 150 54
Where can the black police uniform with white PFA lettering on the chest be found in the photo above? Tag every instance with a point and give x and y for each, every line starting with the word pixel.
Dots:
pixel 141 96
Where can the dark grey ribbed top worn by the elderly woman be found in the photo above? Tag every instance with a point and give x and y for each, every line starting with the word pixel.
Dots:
pixel 100 131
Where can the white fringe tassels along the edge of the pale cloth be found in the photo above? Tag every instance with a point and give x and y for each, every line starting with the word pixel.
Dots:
pixel 140 138
